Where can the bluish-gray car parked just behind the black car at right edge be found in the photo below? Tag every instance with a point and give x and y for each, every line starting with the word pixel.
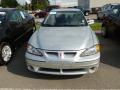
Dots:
pixel 105 10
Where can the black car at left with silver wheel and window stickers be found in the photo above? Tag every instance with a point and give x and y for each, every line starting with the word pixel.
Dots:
pixel 15 26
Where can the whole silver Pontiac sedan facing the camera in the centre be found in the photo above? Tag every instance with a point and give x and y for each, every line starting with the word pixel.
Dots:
pixel 64 45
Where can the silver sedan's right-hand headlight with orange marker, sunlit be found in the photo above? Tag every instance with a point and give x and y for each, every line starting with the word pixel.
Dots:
pixel 91 51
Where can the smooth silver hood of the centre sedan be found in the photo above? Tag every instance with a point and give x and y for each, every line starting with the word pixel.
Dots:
pixel 63 38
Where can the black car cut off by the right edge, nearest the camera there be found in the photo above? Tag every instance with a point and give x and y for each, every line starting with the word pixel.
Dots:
pixel 111 23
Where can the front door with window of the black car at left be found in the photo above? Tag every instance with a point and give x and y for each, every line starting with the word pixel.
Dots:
pixel 16 25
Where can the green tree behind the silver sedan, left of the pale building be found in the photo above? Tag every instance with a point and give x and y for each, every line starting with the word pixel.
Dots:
pixel 39 4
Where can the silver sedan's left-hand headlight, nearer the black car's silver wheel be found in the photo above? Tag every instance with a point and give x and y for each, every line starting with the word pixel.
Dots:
pixel 33 50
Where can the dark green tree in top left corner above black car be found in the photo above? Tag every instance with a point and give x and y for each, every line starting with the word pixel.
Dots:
pixel 9 3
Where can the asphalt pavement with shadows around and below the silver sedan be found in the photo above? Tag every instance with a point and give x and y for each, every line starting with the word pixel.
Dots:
pixel 16 75
